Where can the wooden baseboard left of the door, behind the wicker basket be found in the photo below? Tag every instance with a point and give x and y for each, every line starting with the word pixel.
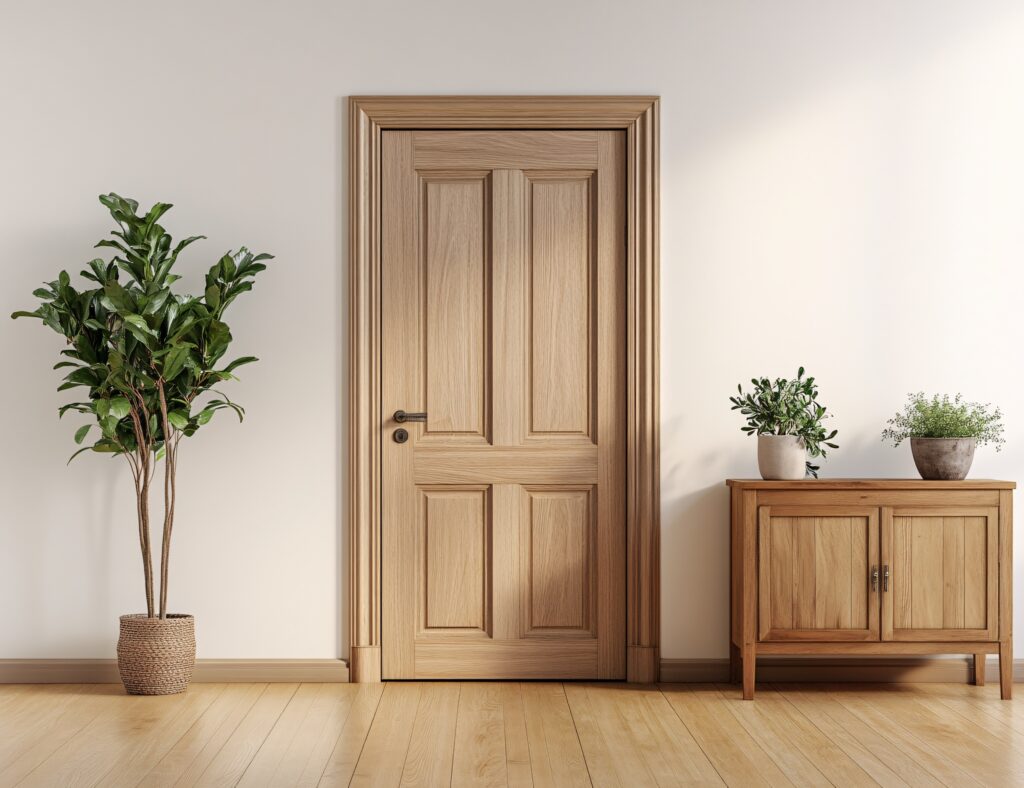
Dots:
pixel 207 671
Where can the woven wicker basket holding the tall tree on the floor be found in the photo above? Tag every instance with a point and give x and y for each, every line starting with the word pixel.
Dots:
pixel 156 656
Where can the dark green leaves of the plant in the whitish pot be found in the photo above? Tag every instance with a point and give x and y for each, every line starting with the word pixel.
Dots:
pixel 787 408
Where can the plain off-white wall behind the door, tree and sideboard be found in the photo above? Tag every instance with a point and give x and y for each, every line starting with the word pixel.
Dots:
pixel 843 188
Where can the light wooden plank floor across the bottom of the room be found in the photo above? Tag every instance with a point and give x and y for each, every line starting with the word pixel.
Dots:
pixel 510 734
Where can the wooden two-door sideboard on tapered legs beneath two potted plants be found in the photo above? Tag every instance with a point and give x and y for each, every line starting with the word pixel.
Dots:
pixel 872 567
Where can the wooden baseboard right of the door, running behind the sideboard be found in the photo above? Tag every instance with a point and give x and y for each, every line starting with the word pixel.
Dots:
pixel 876 670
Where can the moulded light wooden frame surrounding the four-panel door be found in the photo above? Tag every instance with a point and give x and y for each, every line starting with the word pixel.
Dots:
pixel 638 117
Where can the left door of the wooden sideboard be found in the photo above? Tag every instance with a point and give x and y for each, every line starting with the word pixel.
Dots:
pixel 816 566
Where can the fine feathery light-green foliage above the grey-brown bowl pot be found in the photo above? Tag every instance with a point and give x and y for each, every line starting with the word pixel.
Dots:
pixel 940 417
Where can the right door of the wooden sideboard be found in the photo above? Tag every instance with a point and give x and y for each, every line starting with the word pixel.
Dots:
pixel 944 570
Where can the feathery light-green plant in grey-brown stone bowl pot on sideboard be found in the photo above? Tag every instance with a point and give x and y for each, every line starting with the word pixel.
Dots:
pixel 945 433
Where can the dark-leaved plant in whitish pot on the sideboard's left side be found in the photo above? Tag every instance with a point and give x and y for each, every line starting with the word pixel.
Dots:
pixel 787 418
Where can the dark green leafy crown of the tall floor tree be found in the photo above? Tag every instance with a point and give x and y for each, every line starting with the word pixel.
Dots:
pixel 136 345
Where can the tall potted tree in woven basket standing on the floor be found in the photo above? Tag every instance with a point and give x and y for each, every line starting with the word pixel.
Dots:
pixel 150 360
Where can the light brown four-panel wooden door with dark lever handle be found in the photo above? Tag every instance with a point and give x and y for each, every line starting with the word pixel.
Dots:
pixel 503 321
